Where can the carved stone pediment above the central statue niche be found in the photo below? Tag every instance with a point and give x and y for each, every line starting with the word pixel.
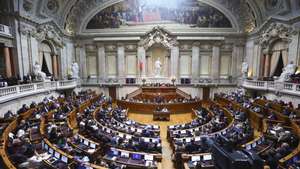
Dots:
pixel 158 35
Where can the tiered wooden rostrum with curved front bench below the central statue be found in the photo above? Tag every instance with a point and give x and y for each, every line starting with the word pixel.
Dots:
pixel 148 98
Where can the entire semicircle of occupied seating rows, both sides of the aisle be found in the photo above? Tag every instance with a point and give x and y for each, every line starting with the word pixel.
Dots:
pixel 84 131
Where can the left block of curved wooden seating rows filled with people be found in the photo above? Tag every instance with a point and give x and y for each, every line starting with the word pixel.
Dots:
pixel 80 131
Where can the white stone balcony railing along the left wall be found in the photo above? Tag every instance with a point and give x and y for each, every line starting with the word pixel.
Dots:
pixel 13 92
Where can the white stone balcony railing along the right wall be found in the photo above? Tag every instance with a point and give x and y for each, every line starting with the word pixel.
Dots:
pixel 280 87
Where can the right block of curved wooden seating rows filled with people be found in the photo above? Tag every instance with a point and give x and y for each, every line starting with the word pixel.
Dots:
pixel 264 127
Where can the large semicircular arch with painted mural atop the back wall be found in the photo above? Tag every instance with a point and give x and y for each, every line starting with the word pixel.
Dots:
pixel 112 8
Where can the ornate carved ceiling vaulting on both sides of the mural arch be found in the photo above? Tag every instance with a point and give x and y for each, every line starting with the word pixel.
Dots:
pixel 72 16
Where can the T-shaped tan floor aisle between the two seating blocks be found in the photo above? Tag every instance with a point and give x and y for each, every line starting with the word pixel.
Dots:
pixel 166 147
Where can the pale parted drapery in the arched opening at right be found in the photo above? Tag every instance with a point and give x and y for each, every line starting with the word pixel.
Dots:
pixel 279 49
